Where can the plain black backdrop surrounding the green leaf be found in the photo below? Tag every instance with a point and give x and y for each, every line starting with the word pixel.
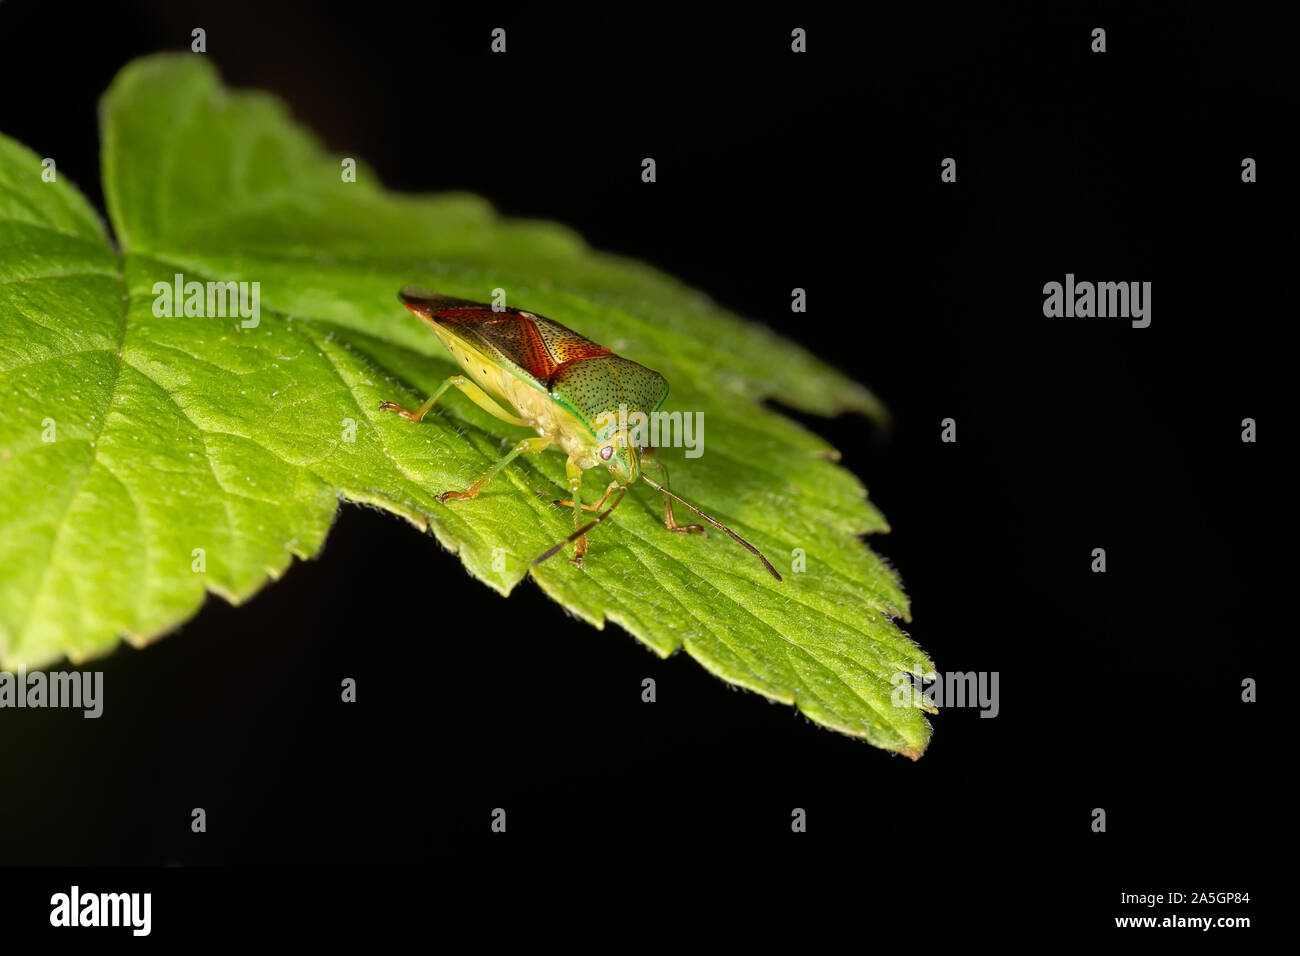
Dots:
pixel 1120 691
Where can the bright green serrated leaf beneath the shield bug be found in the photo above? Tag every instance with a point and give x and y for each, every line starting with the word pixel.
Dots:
pixel 132 444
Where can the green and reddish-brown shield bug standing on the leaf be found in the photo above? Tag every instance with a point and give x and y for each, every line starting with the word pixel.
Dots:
pixel 527 370
